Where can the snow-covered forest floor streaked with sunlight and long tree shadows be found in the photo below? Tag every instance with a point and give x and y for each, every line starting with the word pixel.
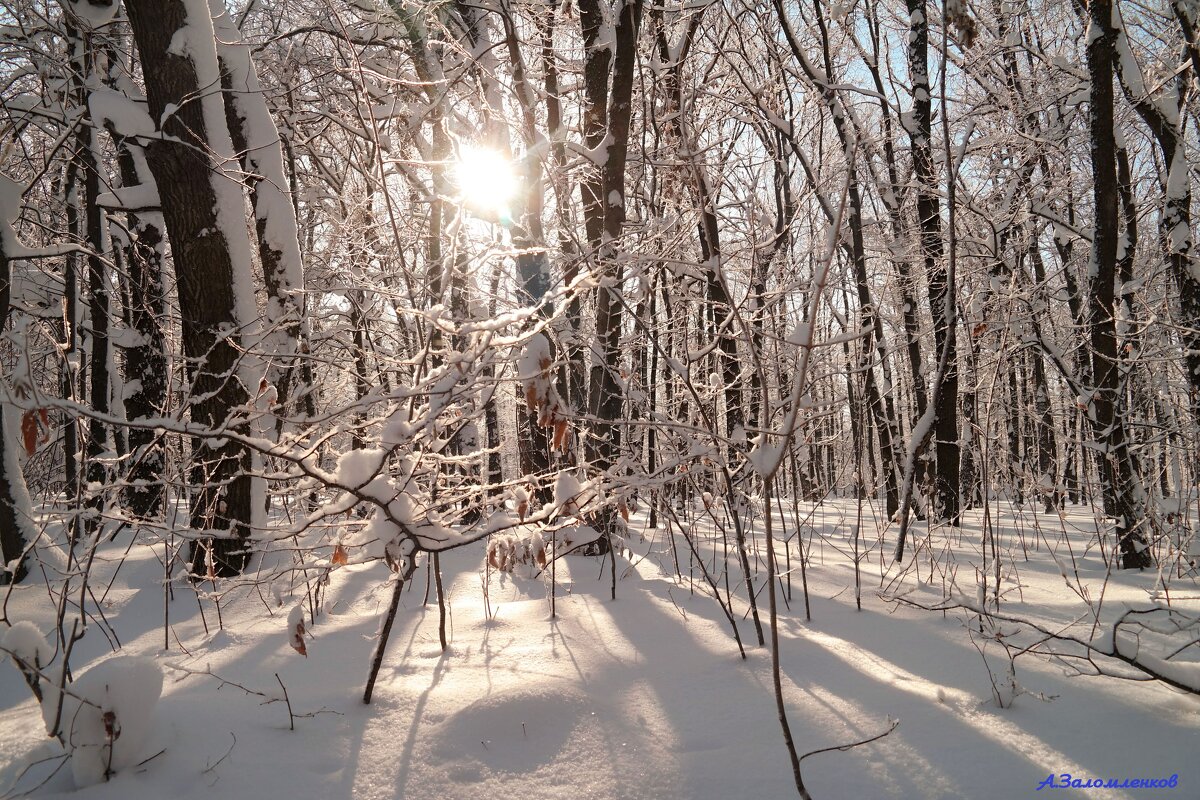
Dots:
pixel 640 697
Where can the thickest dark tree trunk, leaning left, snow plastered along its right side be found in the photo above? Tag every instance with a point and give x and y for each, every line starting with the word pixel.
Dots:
pixel 185 167
